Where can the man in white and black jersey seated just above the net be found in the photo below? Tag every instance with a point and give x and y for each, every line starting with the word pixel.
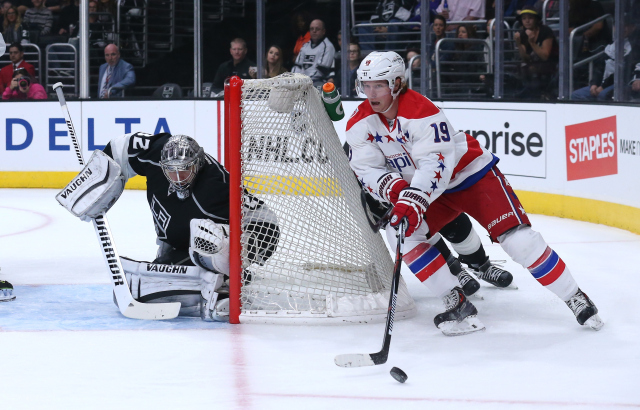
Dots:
pixel 316 58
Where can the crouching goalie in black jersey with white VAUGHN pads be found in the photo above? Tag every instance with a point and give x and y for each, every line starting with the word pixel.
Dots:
pixel 188 193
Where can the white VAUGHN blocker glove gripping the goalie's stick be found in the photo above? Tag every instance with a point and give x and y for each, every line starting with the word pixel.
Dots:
pixel 95 189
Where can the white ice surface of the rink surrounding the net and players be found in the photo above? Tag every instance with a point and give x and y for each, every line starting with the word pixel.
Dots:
pixel 64 345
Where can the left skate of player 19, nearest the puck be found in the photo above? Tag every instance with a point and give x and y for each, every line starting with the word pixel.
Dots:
pixel 460 317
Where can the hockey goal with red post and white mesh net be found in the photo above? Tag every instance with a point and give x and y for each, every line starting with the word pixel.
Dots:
pixel 234 131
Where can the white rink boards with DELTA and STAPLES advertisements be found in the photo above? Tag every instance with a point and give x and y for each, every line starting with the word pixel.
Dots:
pixel 587 151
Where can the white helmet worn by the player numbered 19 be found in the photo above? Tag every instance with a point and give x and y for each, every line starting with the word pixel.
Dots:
pixel 381 65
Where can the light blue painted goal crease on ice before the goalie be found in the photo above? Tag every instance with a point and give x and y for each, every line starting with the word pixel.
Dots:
pixel 79 307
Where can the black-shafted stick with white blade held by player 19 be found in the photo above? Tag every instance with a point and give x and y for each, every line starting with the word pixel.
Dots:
pixel 364 359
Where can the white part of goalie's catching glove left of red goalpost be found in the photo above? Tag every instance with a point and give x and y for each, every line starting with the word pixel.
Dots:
pixel 209 245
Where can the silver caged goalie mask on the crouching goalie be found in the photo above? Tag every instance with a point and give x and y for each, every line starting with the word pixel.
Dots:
pixel 181 159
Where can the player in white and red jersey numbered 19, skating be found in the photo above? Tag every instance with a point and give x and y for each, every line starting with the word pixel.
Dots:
pixel 405 150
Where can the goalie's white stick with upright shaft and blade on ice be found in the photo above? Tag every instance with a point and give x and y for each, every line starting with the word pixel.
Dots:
pixel 126 303
